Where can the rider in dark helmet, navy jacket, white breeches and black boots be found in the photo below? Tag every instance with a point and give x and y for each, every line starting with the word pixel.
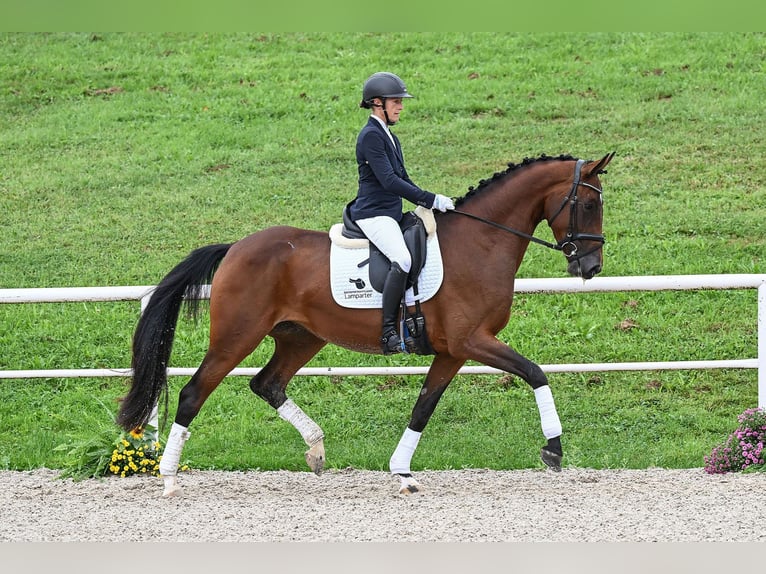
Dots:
pixel 383 182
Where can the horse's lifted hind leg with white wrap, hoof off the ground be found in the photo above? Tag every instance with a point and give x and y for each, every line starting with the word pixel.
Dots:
pixel 294 347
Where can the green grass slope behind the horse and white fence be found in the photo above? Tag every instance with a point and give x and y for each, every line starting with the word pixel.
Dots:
pixel 120 153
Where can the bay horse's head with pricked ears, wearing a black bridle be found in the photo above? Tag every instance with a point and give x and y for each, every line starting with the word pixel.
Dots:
pixel 576 218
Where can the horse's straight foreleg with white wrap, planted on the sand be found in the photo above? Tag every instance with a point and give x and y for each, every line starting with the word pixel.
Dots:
pixel 440 374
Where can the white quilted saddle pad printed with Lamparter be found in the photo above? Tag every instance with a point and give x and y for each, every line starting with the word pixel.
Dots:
pixel 350 283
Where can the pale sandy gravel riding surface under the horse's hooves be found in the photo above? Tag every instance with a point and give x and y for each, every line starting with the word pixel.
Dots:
pixel 576 505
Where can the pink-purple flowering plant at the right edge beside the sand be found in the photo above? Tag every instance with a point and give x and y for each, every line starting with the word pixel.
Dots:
pixel 743 449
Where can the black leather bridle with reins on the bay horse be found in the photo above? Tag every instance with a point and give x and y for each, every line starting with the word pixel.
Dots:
pixel 567 244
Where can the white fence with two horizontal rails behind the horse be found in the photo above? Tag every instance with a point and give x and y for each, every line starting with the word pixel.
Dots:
pixel 563 285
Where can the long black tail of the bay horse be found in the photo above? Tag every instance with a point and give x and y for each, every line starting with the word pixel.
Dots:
pixel 153 338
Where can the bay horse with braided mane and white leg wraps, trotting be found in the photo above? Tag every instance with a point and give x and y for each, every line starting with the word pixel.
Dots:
pixel 276 282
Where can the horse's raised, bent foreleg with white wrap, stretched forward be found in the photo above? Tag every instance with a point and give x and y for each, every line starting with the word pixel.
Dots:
pixel 497 354
